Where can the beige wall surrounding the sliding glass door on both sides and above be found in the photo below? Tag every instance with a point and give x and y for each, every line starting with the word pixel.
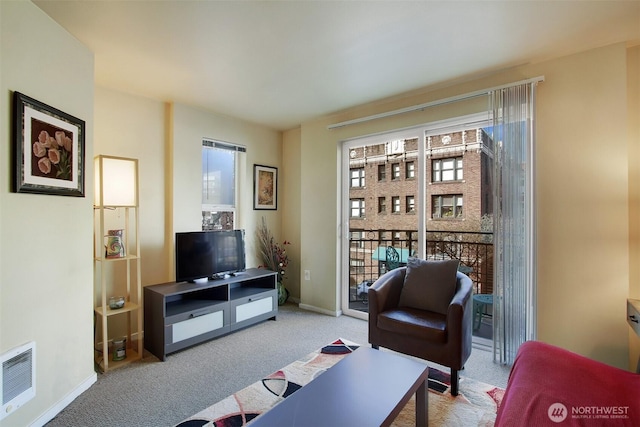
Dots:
pixel 582 205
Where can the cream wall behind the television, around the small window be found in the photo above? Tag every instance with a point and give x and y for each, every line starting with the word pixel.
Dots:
pixel 167 140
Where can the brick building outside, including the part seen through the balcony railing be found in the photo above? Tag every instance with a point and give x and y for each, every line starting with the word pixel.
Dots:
pixel 383 199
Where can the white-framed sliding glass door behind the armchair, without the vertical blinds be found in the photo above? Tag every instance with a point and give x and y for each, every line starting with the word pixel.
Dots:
pixel 423 192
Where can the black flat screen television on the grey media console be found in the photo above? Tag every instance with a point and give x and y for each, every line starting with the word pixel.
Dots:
pixel 209 254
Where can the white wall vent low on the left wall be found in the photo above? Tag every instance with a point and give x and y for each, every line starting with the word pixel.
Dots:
pixel 18 377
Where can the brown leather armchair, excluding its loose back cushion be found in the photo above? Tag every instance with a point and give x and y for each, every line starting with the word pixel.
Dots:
pixel 440 338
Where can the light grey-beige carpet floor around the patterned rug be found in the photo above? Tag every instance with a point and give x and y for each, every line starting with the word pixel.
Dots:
pixel 154 393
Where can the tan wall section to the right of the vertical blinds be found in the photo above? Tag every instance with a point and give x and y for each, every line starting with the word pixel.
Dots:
pixel 583 226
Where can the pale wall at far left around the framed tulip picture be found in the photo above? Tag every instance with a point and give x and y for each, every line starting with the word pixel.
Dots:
pixel 46 241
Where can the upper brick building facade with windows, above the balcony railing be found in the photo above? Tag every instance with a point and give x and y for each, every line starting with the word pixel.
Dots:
pixel 383 184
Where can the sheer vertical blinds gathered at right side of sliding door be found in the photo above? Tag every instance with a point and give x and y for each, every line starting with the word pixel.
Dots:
pixel 514 220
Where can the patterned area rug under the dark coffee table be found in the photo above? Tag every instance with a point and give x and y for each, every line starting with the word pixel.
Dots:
pixel 475 405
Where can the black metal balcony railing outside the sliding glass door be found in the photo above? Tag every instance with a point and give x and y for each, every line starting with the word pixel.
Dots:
pixel 367 256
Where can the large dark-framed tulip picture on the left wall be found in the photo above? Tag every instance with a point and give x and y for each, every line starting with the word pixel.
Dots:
pixel 49 149
